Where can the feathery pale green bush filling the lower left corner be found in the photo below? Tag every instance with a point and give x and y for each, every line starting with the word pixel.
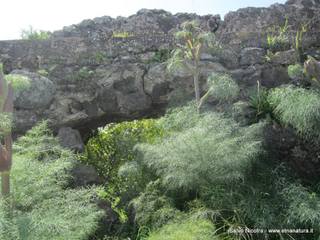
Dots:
pixel 41 207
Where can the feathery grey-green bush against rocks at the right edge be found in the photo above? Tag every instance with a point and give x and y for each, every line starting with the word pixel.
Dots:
pixel 297 107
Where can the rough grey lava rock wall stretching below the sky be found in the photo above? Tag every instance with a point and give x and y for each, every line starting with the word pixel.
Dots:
pixel 96 76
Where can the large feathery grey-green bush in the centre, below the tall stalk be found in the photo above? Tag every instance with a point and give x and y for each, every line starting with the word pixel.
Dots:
pixel 215 150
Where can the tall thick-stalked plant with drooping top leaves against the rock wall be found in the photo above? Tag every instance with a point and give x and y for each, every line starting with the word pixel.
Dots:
pixel 192 41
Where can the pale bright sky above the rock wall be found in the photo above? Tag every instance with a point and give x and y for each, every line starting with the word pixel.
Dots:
pixel 54 14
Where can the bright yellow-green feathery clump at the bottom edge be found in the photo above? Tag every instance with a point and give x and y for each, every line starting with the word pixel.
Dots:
pixel 187 230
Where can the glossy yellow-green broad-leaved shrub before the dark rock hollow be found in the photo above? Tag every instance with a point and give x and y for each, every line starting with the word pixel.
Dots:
pixel 113 145
